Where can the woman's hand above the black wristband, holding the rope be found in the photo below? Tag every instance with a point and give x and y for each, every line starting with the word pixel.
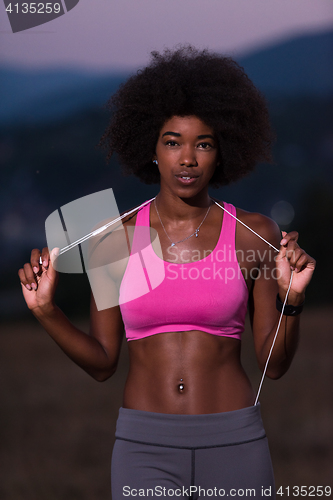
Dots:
pixel 292 258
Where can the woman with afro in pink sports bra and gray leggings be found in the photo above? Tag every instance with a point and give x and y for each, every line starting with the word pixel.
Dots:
pixel 188 426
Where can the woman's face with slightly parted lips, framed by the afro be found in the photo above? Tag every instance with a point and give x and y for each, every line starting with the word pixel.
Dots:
pixel 187 155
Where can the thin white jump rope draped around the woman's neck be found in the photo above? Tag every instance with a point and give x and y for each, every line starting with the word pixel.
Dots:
pixel 118 219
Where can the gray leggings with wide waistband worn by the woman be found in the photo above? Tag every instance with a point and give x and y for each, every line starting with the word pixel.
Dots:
pixel 158 455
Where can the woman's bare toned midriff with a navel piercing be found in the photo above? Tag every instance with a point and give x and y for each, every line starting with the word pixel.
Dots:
pixel 190 372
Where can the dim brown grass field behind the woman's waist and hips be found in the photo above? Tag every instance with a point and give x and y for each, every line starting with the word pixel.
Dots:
pixel 57 424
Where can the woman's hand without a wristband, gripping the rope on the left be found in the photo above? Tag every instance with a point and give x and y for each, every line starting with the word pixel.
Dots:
pixel 39 281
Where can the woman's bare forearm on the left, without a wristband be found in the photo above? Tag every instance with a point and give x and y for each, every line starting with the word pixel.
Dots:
pixel 83 349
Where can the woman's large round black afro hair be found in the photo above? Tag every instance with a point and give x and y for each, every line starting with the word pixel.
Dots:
pixel 189 82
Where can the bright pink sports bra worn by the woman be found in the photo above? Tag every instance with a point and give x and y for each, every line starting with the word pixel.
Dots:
pixel 209 295
